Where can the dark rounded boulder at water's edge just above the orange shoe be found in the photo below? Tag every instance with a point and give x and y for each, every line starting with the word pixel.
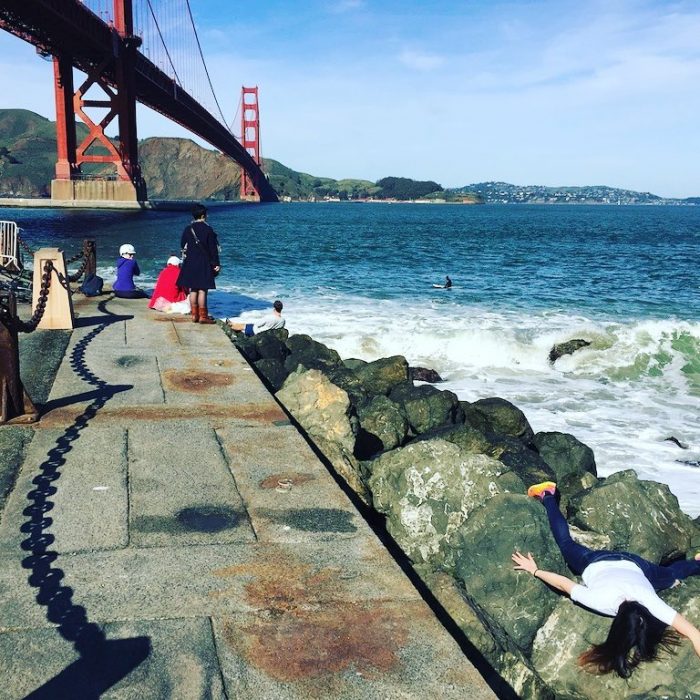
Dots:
pixel 572 461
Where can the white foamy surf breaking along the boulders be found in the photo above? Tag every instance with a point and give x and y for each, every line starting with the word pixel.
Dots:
pixel 623 395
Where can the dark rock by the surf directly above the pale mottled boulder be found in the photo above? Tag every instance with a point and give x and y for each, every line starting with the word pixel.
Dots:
pixel 427 407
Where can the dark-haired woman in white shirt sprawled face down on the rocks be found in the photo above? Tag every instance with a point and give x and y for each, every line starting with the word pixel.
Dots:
pixel 619 584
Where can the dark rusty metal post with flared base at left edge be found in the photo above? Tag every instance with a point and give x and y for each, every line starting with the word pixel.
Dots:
pixel 15 404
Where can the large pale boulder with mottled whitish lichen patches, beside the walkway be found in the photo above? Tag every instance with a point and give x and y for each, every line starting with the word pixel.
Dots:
pixel 427 490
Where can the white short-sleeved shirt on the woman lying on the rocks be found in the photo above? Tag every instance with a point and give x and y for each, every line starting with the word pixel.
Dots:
pixel 608 584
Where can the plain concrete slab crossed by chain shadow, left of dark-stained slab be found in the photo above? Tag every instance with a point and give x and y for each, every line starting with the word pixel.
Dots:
pixel 85 496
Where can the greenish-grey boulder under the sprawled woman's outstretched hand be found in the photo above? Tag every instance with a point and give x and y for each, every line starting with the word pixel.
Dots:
pixel 514 604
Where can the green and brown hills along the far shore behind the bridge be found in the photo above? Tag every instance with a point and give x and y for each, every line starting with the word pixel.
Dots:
pixel 177 168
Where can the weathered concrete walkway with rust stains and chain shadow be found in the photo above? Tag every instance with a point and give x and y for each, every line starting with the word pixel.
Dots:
pixel 171 535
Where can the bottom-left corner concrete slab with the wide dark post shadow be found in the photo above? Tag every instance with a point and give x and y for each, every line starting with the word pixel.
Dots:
pixel 144 659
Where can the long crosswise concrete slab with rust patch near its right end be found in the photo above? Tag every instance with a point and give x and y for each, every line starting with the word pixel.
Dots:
pixel 192 581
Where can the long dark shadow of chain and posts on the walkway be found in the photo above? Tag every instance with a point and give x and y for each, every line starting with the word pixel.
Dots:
pixel 102 663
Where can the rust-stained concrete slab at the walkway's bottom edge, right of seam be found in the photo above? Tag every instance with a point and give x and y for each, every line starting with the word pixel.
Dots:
pixel 346 651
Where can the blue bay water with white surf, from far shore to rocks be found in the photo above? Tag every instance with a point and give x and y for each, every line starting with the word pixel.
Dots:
pixel 358 277
